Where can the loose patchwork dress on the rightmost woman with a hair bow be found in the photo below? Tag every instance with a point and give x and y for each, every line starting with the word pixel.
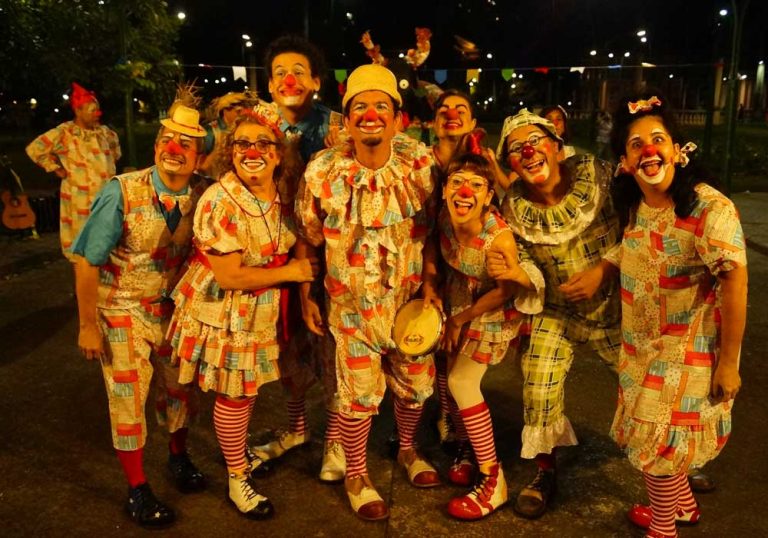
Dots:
pixel 666 420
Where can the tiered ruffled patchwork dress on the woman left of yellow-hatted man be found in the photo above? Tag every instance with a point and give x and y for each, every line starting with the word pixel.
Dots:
pixel 227 340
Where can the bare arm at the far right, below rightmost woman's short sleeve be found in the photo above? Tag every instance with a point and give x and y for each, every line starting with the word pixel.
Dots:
pixel 726 381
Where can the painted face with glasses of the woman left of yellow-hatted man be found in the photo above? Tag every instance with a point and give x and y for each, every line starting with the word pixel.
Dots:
pixel 255 153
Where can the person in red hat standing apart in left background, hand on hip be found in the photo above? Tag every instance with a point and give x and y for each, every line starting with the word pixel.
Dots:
pixel 82 153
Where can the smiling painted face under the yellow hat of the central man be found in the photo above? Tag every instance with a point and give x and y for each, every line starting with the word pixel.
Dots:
pixel 372 119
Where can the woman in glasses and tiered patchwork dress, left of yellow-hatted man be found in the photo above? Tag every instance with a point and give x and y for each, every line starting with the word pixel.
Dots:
pixel 230 321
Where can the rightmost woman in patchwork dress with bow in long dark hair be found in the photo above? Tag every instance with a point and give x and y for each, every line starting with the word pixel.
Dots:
pixel 684 301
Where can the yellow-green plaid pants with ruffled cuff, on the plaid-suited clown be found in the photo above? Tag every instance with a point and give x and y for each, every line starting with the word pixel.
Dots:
pixel 545 366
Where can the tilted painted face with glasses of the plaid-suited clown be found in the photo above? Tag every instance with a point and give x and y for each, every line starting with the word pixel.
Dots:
pixel 532 154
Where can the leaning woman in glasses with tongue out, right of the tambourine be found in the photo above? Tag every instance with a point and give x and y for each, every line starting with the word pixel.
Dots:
pixel 484 315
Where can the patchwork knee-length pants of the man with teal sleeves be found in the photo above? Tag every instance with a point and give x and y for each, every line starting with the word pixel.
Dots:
pixel 132 355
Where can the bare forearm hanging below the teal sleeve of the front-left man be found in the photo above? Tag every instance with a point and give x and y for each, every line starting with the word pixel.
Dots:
pixel 89 340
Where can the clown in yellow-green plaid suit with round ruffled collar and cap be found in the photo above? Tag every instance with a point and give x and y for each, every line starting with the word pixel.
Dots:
pixel 561 212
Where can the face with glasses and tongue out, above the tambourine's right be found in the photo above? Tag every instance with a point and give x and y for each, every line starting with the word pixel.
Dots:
pixel 467 196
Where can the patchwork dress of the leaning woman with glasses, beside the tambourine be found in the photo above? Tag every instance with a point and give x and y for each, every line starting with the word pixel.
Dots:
pixel 487 337
